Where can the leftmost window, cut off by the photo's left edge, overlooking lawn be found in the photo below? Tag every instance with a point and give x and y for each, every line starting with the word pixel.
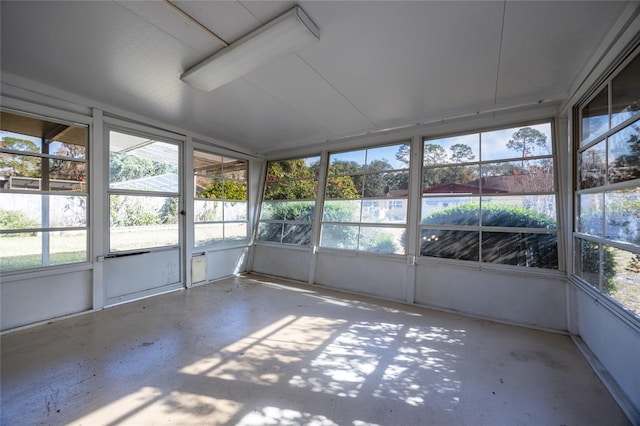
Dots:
pixel 43 192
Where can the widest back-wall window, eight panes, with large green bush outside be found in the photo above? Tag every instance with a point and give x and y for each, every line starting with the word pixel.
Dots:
pixel 490 197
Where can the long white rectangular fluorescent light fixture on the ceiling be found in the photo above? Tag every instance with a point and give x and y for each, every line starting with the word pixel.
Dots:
pixel 276 39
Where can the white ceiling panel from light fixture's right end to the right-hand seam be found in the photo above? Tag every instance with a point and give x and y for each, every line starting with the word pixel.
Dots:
pixel 399 61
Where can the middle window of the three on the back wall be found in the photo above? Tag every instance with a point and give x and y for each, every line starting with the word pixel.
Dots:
pixel 366 193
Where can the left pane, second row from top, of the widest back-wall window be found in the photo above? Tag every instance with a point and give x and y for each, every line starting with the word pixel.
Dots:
pixel 451 180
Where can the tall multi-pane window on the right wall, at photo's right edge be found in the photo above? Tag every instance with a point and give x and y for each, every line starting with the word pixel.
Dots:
pixel 607 227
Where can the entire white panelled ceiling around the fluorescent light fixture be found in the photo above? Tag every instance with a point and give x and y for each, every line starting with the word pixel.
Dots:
pixel 378 63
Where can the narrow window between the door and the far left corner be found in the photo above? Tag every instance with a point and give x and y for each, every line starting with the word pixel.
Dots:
pixel 220 205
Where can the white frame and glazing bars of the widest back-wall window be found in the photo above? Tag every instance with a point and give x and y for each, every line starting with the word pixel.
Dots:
pixel 479 228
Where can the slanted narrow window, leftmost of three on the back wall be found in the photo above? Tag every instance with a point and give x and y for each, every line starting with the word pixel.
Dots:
pixel 289 201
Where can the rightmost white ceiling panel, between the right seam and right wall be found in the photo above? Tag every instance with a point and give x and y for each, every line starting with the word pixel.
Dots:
pixel 546 45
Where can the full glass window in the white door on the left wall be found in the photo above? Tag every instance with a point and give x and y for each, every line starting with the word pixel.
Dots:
pixel 144 191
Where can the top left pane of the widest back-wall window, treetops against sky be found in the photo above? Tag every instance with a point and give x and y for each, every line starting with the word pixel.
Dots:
pixel 453 150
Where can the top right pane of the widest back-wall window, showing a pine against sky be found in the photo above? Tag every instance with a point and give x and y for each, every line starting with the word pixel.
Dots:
pixel 516 142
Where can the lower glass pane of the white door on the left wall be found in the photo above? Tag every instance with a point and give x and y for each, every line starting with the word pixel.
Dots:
pixel 142 222
